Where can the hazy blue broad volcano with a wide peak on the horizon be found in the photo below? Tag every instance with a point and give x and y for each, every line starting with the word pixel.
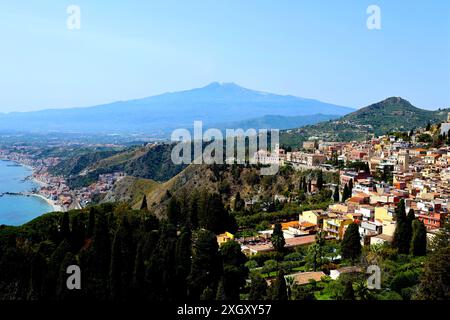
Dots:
pixel 213 104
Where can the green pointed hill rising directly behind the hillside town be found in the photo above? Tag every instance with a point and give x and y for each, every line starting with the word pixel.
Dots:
pixel 391 114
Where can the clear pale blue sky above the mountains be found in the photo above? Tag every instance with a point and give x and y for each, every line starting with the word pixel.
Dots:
pixel 314 49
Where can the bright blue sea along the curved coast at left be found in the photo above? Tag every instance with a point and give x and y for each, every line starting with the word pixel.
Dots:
pixel 16 210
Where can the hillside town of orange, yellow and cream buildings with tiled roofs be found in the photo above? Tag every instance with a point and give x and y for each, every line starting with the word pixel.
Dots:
pixel 413 166
